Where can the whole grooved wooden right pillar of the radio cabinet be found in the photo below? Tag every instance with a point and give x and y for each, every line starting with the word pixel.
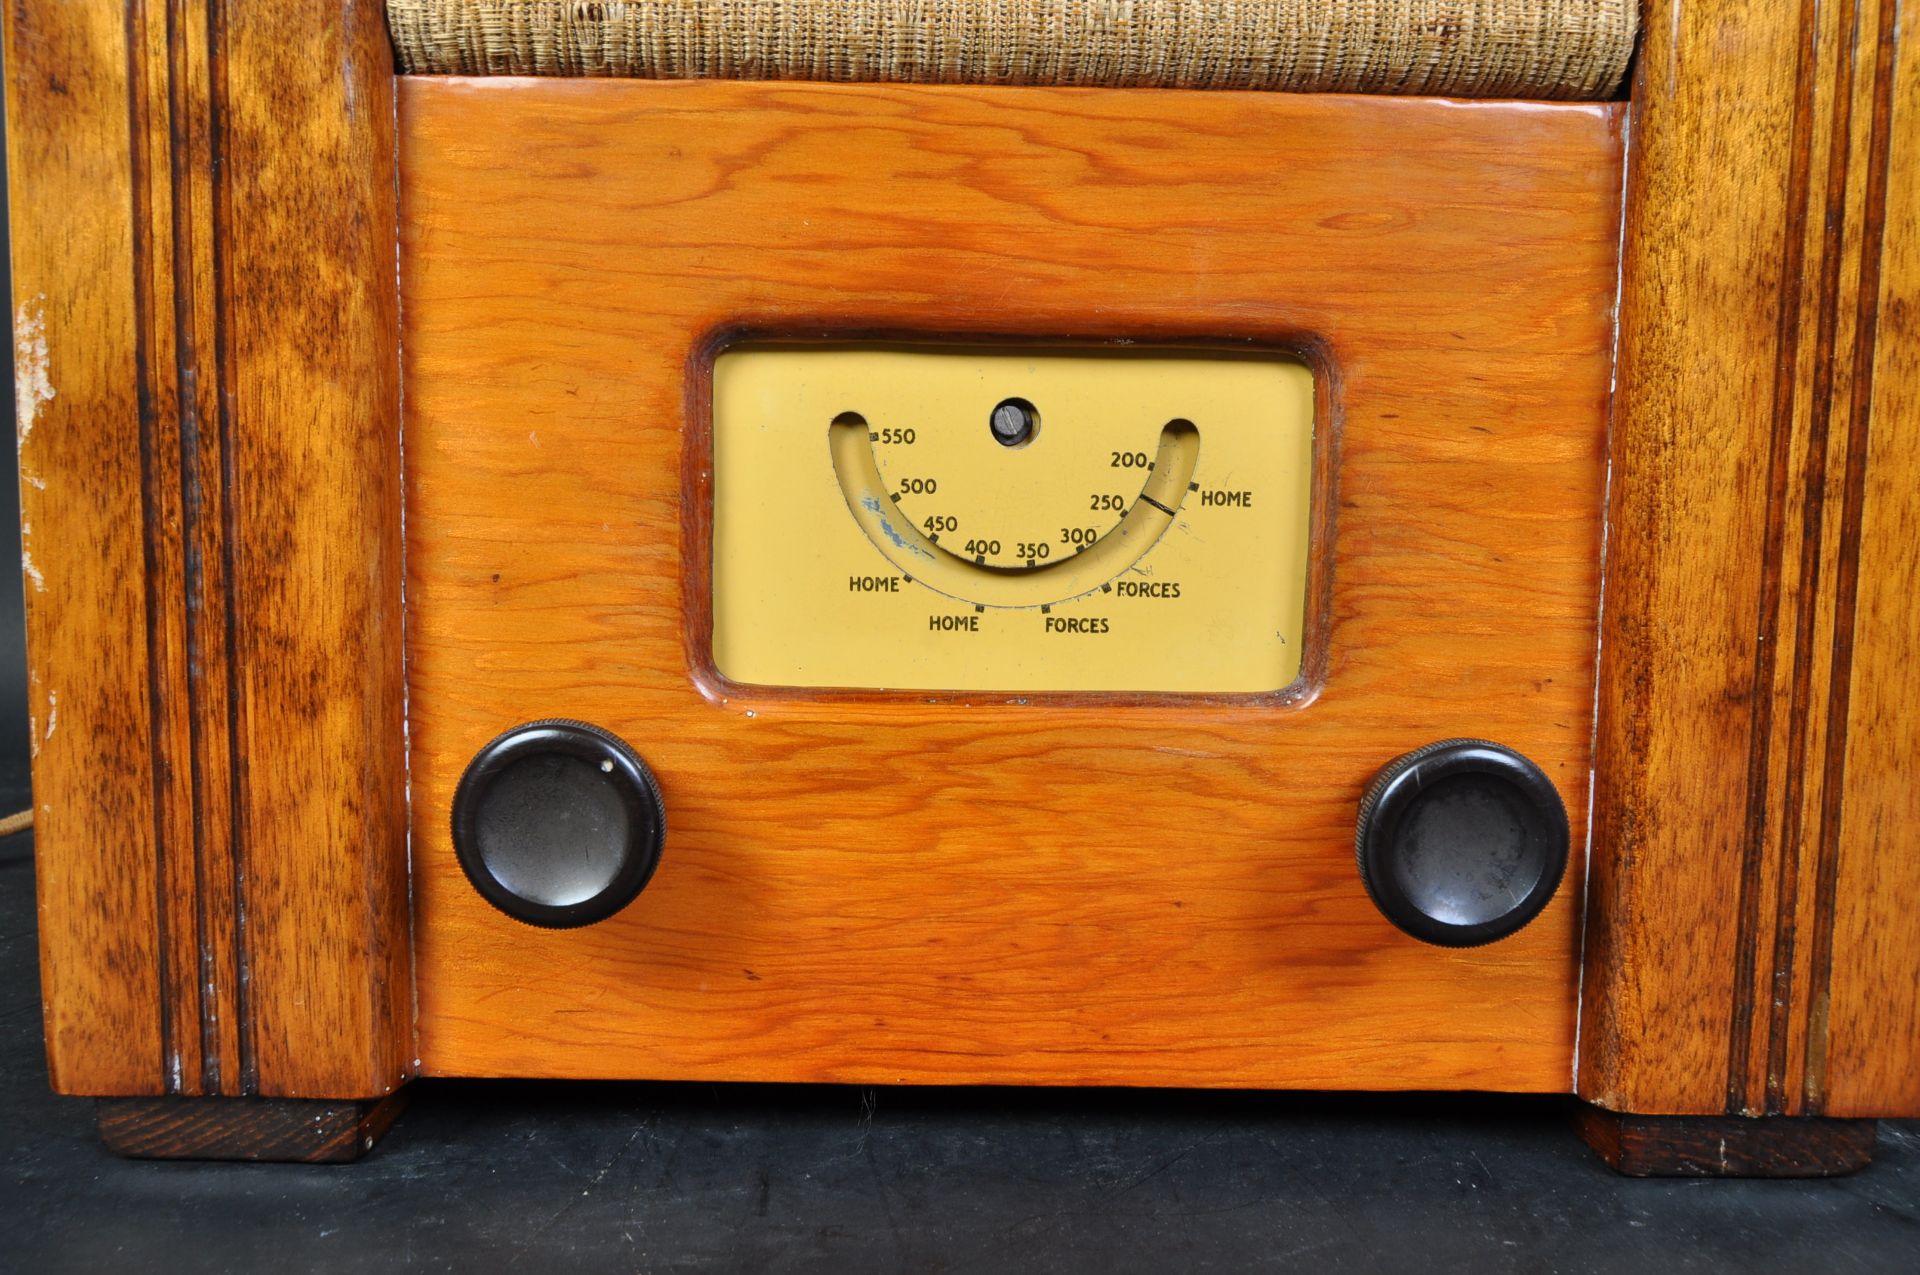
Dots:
pixel 1727 834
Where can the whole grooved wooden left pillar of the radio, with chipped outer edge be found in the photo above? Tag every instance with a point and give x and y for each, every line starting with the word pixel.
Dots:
pixel 206 314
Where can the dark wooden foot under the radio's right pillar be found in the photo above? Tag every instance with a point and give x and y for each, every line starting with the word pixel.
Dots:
pixel 1727 1145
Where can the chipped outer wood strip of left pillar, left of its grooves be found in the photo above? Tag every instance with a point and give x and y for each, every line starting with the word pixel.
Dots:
pixel 72 162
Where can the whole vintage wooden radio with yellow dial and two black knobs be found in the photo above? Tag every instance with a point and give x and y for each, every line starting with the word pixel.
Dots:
pixel 1042 562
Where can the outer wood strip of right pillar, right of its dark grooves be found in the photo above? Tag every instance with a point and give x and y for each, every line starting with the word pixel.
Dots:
pixel 1873 961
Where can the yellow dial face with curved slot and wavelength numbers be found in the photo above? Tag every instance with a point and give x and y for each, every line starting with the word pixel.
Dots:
pixel 959 519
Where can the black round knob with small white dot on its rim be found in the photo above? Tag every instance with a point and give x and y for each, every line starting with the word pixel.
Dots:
pixel 558 825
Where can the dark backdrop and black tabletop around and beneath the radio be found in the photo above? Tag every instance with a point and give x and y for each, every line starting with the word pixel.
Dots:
pixel 502 1176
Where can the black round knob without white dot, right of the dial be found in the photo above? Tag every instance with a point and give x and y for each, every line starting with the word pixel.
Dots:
pixel 1462 842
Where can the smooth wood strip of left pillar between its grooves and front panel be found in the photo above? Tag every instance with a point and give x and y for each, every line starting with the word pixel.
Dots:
pixel 314 347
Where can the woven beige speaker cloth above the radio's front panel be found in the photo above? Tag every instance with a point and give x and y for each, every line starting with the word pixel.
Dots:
pixel 1474 49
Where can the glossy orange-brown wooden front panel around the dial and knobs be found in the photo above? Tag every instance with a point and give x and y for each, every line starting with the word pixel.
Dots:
pixel 984 890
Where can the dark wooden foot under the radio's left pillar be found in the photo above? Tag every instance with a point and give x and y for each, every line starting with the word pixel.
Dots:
pixel 287 1130
